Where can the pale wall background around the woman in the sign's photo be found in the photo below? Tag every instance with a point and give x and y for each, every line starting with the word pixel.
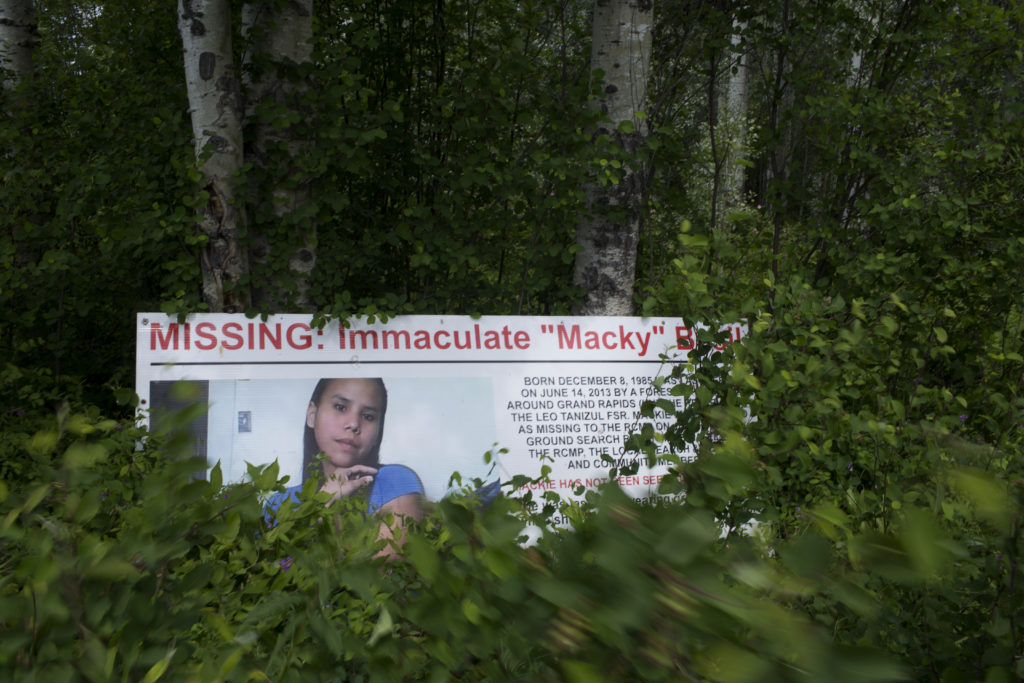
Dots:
pixel 433 426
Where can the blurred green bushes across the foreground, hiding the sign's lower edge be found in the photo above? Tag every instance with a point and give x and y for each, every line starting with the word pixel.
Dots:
pixel 120 564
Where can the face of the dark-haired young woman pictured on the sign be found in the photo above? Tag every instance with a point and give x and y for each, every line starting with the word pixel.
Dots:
pixel 347 423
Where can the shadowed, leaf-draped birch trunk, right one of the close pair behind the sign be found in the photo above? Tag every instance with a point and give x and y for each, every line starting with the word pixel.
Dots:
pixel 280 38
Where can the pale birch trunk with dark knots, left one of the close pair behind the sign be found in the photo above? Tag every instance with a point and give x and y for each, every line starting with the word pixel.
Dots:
pixel 217 109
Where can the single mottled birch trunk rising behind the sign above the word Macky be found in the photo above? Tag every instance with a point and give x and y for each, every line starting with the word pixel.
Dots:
pixel 606 268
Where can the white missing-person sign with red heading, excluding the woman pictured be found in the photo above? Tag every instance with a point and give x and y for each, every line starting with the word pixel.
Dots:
pixel 561 393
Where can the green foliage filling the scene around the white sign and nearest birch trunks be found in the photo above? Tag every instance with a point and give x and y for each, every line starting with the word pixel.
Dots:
pixel 862 449
